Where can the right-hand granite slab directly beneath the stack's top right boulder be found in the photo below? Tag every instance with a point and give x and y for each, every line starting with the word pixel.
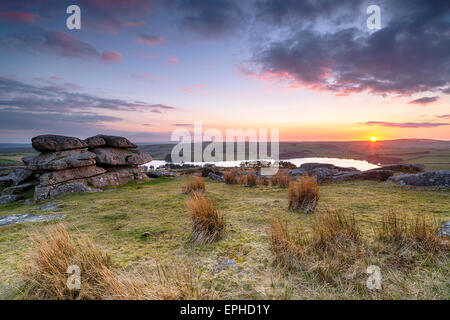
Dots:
pixel 120 157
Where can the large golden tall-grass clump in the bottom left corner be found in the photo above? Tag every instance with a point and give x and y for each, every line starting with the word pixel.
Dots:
pixel 45 275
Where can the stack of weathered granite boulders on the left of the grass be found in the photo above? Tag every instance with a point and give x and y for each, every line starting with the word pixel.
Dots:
pixel 68 164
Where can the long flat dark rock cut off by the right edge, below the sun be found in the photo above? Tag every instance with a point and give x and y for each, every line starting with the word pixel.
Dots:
pixel 439 178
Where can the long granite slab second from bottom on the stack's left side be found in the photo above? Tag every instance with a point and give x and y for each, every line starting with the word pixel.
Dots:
pixel 55 177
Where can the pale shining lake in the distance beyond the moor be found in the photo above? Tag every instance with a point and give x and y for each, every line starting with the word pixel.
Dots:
pixel 358 164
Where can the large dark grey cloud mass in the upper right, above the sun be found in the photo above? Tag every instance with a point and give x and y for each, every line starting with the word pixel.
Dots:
pixel 410 54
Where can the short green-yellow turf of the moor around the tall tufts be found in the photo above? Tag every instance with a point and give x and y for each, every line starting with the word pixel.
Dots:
pixel 116 220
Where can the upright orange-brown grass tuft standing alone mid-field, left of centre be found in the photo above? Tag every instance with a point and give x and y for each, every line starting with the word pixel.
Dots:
pixel 207 223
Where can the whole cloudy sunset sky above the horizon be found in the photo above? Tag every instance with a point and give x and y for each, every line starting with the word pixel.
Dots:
pixel 142 69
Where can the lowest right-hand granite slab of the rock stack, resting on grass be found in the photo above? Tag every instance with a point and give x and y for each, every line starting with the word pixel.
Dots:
pixel 117 176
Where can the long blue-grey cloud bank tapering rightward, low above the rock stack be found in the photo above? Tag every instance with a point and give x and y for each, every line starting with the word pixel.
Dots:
pixel 28 107
